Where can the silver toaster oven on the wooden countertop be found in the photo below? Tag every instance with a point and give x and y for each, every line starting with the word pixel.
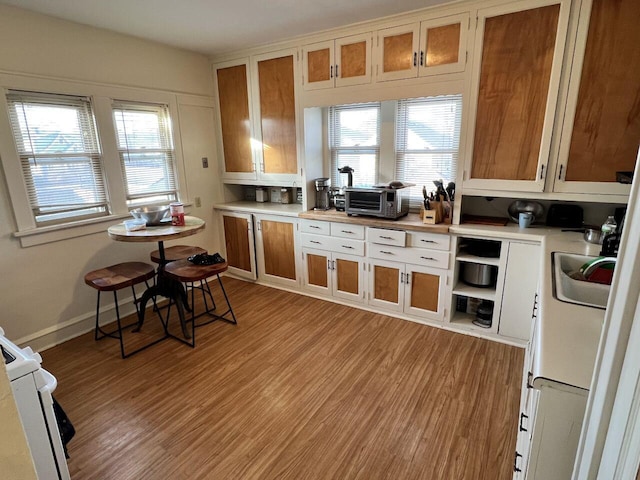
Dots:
pixel 377 201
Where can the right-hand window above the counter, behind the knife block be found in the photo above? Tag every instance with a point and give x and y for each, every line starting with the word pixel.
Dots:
pixel 427 140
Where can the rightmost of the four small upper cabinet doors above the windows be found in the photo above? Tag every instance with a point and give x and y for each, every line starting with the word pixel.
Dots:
pixel 443 45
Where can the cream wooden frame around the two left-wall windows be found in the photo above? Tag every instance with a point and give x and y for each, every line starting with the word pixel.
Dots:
pixel 23 225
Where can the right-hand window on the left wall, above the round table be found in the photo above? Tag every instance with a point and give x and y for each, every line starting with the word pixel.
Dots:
pixel 146 152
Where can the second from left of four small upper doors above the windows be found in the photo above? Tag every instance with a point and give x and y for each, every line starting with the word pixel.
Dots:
pixel 353 60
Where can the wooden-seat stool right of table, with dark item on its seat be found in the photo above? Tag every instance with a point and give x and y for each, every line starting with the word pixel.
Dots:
pixel 186 272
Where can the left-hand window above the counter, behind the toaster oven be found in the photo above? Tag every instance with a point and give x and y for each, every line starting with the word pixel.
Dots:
pixel 354 138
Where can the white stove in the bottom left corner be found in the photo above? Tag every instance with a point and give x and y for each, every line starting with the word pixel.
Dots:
pixel 32 388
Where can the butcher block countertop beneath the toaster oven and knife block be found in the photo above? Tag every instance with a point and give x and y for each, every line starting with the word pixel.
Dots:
pixel 410 222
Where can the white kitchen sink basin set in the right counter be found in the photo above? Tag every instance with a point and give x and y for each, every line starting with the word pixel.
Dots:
pixel 570 290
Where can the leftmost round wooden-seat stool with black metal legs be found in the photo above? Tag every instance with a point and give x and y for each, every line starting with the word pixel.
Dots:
pixel 112 279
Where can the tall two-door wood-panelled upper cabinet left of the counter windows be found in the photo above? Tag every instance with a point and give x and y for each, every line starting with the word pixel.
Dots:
pixel 258 104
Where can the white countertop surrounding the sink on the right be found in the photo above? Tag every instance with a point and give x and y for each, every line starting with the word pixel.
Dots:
pixel 568 334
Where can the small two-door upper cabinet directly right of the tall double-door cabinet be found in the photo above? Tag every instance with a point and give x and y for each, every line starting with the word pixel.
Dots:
pixel 337 63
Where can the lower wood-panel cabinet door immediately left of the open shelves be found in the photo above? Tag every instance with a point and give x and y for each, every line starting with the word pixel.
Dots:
pixel 425 291
